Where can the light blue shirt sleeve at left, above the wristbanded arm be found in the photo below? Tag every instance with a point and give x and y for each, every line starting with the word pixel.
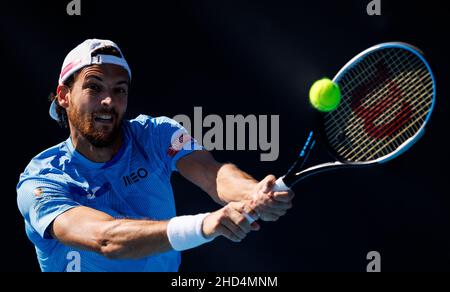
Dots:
pixel 41 200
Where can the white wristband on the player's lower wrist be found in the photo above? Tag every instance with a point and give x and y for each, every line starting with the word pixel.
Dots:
pixel 185 232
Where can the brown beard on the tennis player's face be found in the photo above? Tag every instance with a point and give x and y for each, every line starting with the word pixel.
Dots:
pixel 100 136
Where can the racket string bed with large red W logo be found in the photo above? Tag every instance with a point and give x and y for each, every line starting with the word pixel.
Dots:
pixel 383 110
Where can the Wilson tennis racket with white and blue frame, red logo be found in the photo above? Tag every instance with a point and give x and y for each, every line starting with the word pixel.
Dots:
pixel 388 94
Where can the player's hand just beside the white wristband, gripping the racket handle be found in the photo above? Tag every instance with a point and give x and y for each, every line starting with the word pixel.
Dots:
pixel 230 222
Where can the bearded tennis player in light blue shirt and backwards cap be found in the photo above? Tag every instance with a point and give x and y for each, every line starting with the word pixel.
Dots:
pixel 103 196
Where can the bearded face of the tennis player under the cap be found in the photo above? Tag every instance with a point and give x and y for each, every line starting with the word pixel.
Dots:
pixel 97 103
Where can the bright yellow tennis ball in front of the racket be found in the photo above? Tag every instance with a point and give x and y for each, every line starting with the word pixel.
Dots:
pixel 325 95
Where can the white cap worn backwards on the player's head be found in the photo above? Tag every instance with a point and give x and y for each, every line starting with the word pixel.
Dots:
pixel 81 57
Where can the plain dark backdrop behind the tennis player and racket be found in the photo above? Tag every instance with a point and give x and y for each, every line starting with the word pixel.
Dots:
pixel 245 57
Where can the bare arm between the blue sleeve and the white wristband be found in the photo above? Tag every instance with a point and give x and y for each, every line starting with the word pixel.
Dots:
pixel 93 230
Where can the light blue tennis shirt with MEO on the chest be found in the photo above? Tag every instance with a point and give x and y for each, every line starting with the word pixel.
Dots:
pixel 134 184
